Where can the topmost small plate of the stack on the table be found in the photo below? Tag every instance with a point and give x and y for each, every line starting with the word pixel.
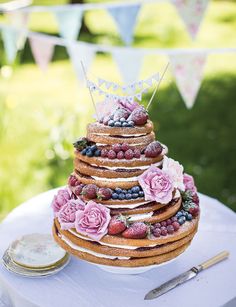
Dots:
pixel 36 251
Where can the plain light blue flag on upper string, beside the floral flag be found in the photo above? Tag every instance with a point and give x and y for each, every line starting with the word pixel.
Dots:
pixel 125 18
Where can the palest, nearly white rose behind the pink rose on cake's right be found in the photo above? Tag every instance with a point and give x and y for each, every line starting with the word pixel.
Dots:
pixel 175 170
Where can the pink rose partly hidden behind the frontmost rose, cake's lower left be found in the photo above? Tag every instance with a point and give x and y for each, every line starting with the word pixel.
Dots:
pixel 66 216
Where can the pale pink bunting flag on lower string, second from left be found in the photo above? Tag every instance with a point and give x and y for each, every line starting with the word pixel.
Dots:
pixel 42 50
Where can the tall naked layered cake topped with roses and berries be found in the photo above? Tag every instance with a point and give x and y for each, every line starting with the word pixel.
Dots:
pixel 127 203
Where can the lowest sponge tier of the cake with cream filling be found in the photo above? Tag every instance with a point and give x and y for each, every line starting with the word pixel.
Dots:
pixel 91 251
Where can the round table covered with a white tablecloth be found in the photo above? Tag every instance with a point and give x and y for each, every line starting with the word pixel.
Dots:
pixel 82 284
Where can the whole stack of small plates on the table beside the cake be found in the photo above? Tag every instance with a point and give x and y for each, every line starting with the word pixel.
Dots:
pixel 35 255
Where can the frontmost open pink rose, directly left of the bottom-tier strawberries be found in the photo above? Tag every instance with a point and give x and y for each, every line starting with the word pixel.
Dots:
pixel 93 221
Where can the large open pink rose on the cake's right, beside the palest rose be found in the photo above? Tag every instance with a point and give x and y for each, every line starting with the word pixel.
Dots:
pixel 157 185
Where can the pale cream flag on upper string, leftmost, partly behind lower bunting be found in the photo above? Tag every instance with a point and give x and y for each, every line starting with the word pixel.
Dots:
pixel 19 20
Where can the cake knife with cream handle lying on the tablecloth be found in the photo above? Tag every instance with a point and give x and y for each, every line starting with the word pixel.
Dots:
pixel 178 280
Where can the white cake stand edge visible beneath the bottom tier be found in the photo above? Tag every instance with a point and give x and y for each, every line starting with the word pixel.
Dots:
pixel 130 271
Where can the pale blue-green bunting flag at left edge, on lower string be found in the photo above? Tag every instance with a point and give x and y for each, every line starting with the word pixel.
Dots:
pixel 10 37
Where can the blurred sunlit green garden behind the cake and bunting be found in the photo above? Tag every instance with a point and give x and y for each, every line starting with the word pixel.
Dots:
pixel 41 114
